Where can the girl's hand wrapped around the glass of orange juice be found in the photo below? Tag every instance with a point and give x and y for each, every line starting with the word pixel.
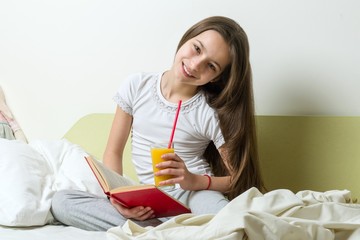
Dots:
pixel 176 167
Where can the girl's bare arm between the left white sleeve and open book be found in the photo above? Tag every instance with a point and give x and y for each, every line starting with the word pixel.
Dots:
pixel 118 136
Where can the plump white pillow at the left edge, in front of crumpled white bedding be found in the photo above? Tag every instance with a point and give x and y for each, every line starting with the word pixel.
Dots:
pixel 25 185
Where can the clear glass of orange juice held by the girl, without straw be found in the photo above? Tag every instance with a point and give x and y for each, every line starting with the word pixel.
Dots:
pixel 157 150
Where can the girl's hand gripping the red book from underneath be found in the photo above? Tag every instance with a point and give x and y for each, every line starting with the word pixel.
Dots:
pixel 138 213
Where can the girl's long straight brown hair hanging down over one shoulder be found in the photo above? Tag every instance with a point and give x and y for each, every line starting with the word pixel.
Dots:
pixel 231 95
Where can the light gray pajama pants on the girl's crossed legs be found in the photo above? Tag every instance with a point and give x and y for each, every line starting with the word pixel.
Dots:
pixel 91 212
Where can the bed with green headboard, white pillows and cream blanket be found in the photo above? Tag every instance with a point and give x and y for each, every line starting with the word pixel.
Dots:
pixel 310 166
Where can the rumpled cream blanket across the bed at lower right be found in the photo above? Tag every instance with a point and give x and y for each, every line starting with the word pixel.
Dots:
pixel 279 214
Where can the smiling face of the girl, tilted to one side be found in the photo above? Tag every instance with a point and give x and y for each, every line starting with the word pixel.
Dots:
pixel 201 59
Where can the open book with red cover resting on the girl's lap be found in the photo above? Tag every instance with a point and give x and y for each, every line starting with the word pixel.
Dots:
pixel 127 193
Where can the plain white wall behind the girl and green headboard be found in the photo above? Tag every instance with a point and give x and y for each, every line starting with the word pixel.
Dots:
pixel 60 60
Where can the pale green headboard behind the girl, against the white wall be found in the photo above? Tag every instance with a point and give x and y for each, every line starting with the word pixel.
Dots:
pixel 296 152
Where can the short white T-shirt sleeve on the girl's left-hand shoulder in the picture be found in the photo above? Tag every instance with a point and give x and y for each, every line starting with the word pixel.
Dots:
pixel 126 94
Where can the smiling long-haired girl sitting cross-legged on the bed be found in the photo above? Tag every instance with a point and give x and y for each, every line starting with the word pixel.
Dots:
pixel 215 156
